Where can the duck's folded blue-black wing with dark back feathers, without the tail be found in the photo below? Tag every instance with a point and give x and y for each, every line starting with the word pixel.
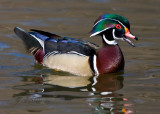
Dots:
pixel 64 44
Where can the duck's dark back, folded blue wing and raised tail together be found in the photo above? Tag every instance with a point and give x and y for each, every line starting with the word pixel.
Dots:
pixel 50 43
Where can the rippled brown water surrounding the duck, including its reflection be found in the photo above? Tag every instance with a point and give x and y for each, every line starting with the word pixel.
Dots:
pixel 29 88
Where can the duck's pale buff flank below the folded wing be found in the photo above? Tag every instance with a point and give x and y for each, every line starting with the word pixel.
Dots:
pixel 69 62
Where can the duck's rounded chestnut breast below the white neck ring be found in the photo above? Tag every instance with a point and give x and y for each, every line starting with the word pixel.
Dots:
pixel 110 59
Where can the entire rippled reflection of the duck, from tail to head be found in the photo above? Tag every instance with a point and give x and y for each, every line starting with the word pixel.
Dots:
pixel 98 91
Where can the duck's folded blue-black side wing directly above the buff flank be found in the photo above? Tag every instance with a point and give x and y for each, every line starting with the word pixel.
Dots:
pixel 68 45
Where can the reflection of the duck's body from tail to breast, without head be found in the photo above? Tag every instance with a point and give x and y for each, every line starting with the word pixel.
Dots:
pixel 53 82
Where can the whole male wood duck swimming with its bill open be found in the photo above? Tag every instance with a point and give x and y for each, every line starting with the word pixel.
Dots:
pixel 81 57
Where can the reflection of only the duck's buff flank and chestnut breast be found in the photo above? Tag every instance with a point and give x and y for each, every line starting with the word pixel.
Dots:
pixel 99 83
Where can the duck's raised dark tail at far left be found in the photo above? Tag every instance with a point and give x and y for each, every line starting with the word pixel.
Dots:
pixel 32 45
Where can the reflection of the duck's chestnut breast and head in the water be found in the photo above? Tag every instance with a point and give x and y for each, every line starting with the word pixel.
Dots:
pixel 106 101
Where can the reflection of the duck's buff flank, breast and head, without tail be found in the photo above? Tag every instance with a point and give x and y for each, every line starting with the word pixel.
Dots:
pixel 100 89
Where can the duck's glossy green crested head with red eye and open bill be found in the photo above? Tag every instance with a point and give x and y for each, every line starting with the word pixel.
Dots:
pixel 112 27
